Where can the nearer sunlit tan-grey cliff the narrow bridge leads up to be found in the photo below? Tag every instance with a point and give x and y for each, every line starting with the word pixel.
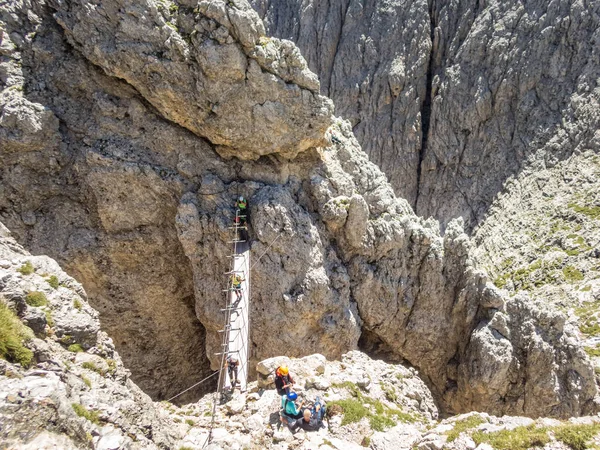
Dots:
pixel 115 162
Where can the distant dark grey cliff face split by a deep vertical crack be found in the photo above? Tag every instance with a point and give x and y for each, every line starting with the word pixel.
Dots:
pixel 451 100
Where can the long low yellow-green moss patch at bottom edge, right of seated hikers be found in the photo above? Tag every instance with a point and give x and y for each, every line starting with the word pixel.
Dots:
pixel 520 438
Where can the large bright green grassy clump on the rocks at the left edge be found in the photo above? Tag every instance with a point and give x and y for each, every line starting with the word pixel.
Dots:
pixel 13 336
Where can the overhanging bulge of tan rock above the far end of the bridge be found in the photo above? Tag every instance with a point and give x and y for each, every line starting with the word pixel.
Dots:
pixel 211 77
